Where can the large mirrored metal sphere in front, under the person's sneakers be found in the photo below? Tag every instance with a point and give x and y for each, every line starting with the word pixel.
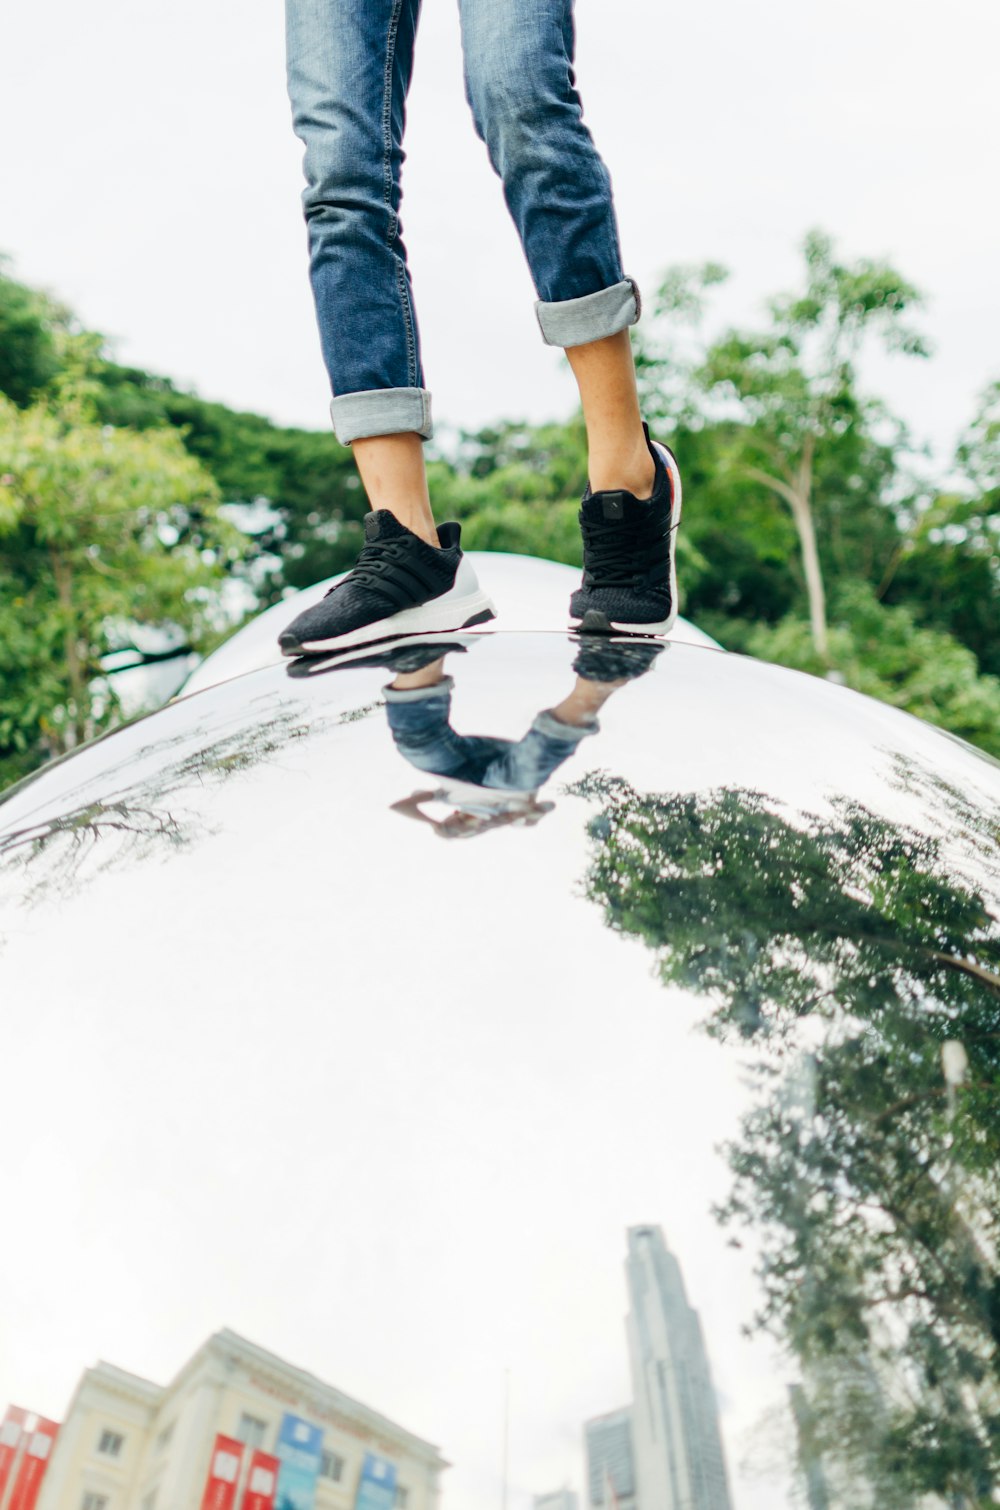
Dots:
pixel 653 1112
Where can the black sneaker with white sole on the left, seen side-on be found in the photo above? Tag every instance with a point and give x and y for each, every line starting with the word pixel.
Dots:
pixel 400 587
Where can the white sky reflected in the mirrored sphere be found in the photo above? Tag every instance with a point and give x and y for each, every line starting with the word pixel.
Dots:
pixel 392 1118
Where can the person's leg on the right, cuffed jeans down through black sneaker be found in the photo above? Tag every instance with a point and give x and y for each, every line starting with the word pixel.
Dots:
pixel 522 88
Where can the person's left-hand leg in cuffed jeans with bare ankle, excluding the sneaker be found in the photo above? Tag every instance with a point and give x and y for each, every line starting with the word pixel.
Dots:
pixel 350 70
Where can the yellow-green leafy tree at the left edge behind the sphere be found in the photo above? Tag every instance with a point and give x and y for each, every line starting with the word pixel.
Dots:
pixel 99 529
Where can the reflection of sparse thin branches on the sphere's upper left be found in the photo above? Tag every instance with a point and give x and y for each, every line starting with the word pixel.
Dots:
pixel 103 824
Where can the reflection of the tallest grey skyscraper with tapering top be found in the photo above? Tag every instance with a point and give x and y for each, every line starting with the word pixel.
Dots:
pixel 674 1419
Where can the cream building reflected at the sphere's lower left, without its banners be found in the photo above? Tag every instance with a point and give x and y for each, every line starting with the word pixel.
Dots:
pixel 129 1444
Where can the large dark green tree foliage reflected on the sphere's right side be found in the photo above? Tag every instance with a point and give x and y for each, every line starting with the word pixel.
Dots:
pixel 866 967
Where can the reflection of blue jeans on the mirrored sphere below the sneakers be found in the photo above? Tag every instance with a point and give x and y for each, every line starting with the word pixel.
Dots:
pixel 422 732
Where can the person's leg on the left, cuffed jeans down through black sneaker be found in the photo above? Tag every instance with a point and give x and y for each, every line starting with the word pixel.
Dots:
pixel 350 70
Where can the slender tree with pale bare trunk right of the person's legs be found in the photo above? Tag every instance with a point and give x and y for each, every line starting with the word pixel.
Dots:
pixel 800 430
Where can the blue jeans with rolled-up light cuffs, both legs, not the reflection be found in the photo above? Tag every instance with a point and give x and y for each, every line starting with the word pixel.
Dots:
pixel 350 70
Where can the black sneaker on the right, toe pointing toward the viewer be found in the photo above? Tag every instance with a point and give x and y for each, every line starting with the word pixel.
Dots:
pixel 629 556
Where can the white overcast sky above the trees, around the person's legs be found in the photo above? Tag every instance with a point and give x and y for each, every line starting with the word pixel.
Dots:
pixel 152 179
